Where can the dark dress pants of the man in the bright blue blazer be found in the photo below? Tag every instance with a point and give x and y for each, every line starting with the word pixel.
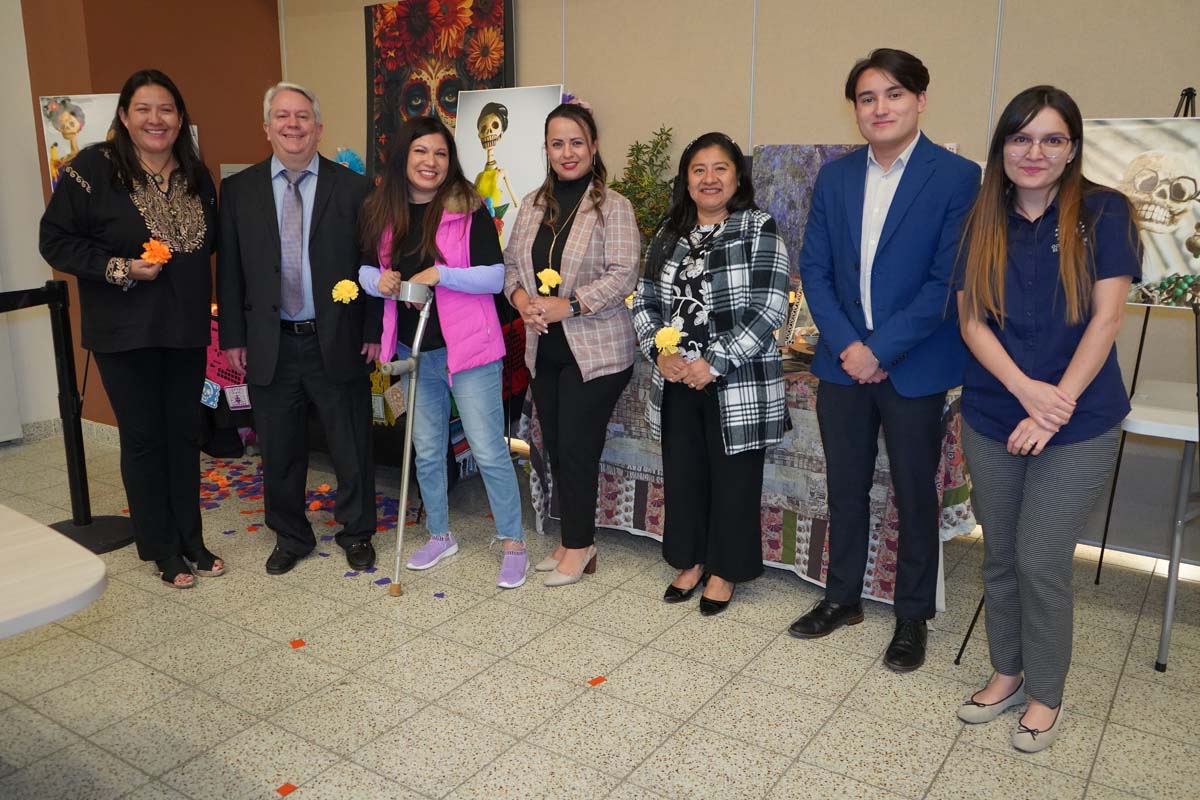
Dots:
pixel 850 419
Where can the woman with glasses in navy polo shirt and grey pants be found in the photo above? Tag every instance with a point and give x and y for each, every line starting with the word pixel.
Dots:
pixel 1046 266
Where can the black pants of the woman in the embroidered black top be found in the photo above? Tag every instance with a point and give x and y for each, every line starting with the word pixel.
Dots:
pixel 155 394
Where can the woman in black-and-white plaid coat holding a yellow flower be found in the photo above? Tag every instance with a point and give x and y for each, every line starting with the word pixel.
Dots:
pixel 706 311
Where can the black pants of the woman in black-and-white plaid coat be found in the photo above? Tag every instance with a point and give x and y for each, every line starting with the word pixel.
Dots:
pixel 713 501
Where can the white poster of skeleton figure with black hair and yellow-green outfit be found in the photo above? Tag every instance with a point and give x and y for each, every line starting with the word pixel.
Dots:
pixel 501 145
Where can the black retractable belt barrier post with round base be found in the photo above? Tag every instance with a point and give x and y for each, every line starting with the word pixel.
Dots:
pixel 98 534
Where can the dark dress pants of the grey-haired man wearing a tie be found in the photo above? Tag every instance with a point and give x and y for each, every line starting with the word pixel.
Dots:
pixel 281 420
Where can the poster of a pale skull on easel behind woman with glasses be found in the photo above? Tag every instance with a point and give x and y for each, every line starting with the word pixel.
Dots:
pixel 1156 164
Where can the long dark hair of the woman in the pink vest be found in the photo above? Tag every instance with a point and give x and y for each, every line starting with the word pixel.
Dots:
pixel 387 207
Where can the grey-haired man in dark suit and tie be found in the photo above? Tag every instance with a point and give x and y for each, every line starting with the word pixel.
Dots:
pixel 289 234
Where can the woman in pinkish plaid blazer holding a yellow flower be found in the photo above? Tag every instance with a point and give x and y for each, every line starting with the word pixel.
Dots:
pixel 569 266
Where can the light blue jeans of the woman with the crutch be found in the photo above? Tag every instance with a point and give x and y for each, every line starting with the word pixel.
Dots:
pixel 478 394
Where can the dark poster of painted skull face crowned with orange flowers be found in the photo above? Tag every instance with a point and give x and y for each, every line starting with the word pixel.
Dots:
pixel 423 53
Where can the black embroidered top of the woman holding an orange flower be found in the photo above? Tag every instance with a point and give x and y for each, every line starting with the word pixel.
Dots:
pixel 93 225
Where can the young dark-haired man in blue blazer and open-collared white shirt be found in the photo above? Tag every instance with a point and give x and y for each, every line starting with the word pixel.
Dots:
pixel 877 266
